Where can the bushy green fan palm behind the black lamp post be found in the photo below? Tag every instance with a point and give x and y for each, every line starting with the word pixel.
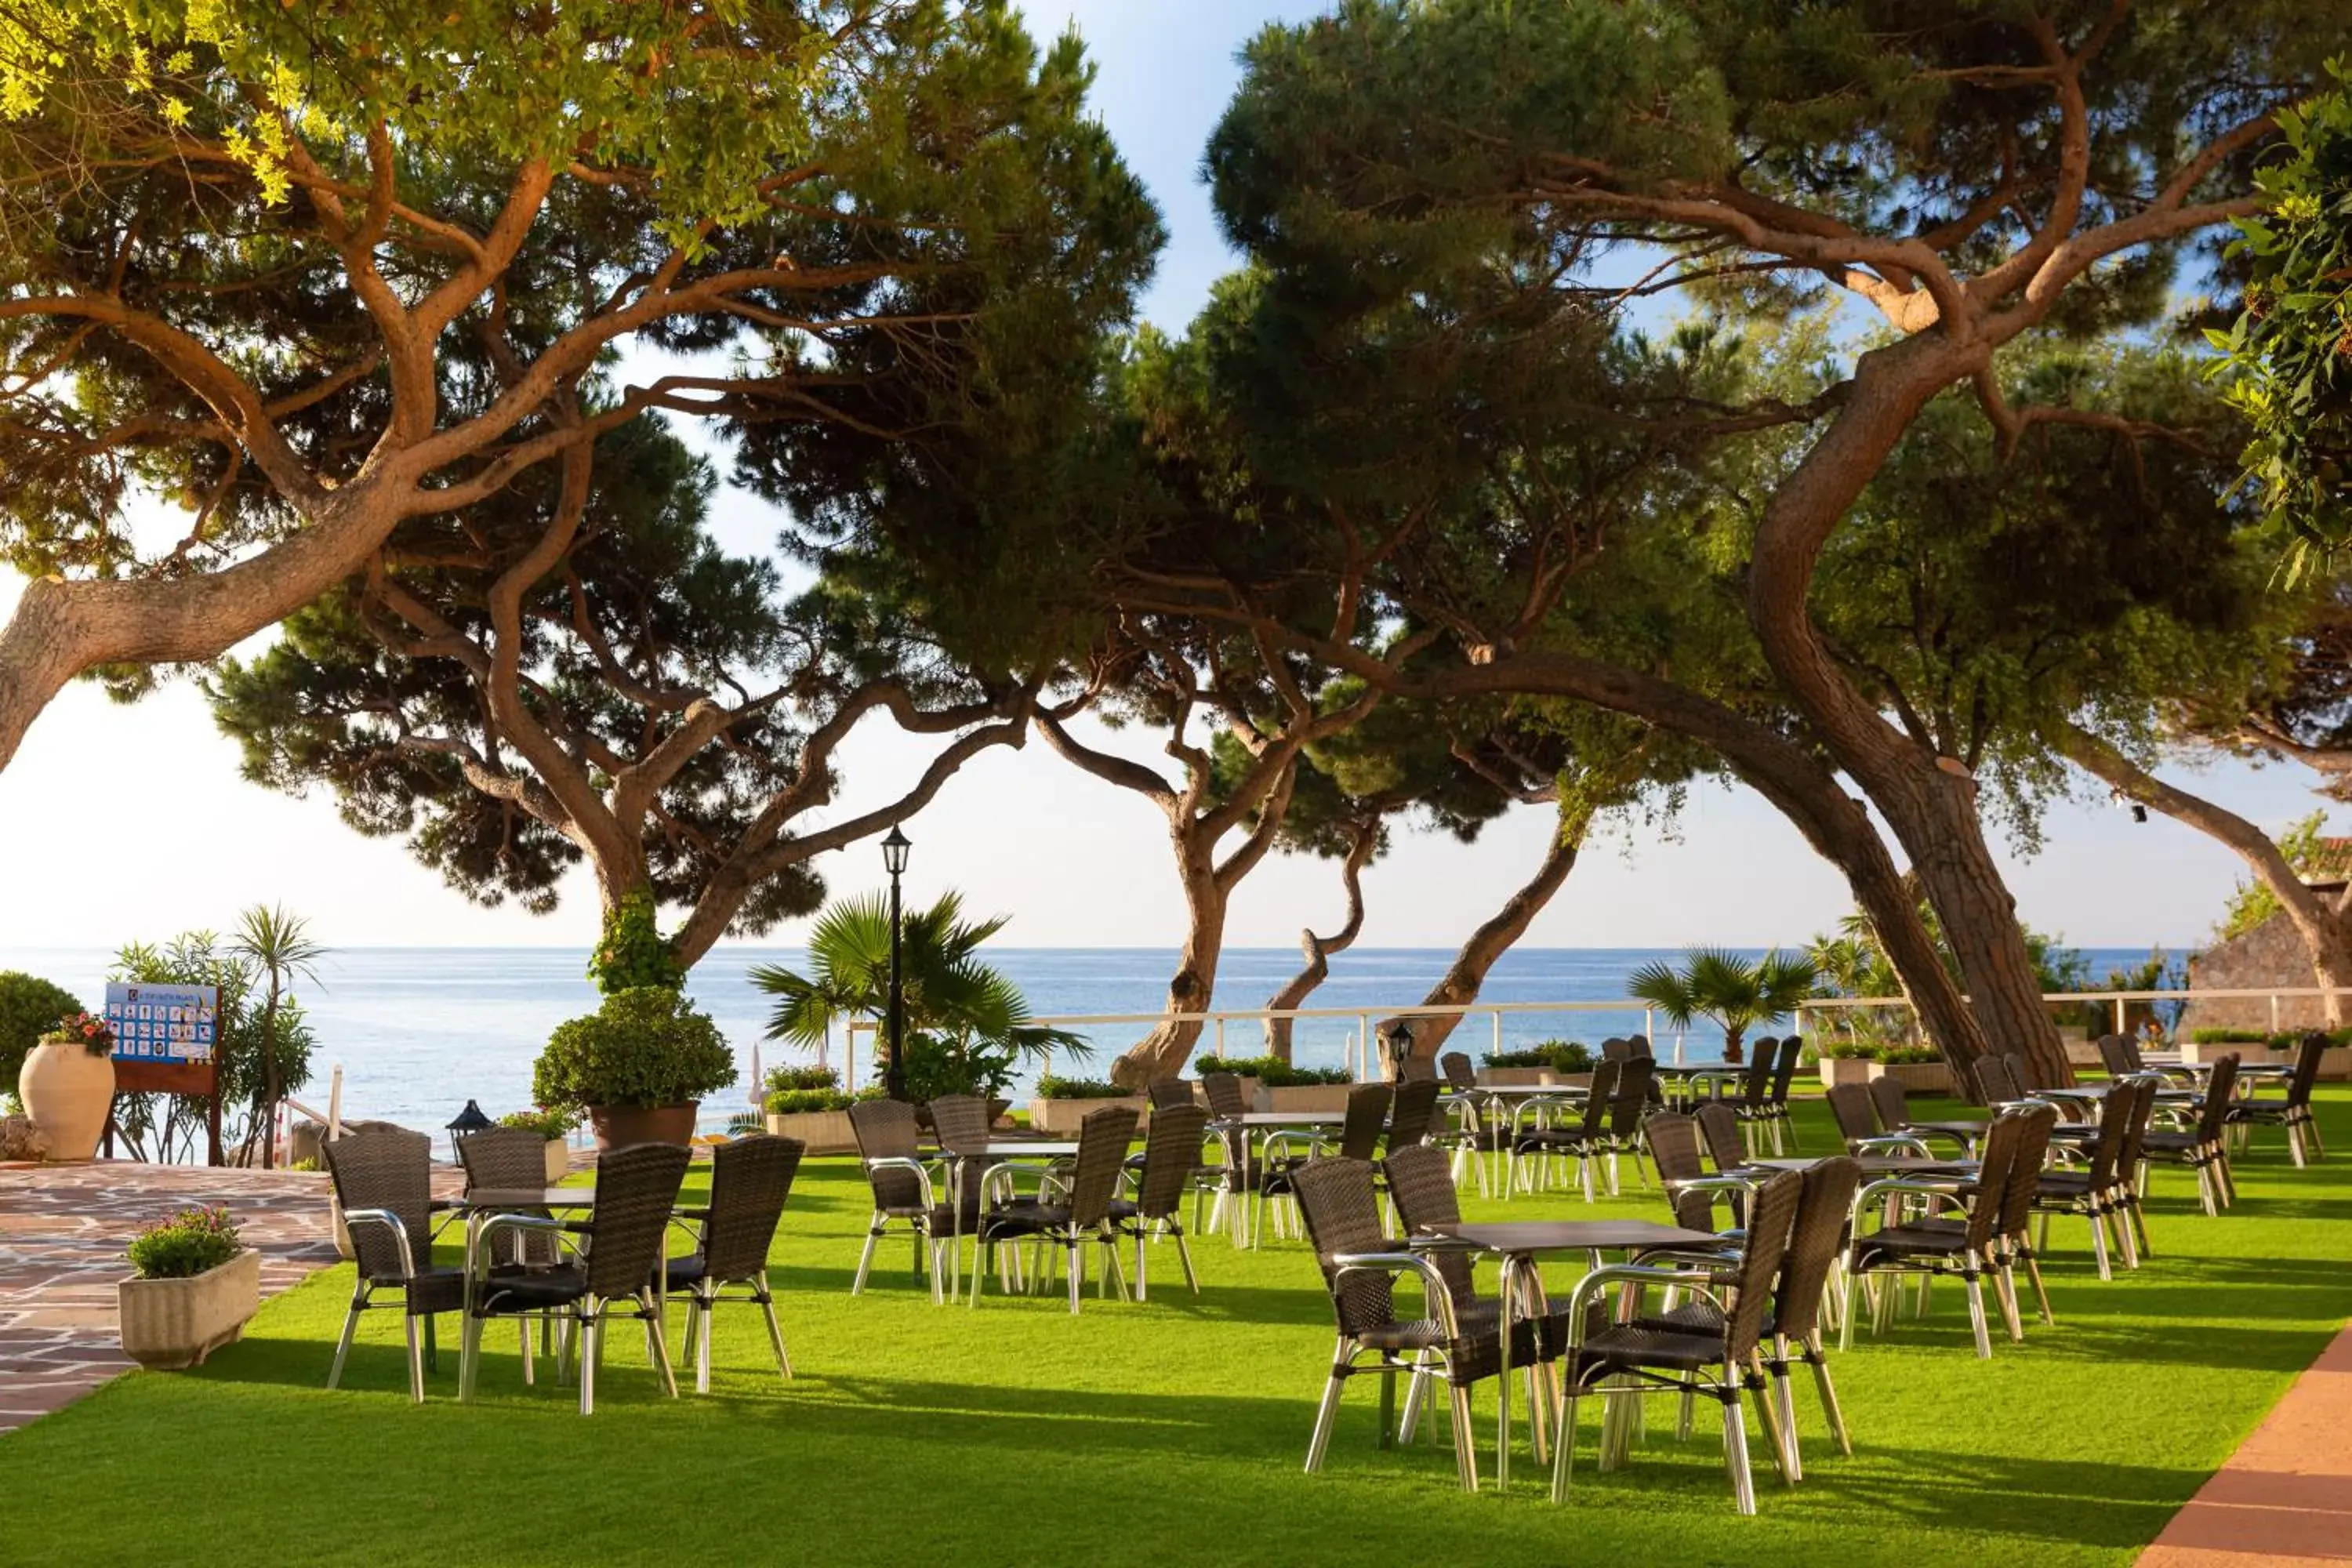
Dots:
pixel 956 1003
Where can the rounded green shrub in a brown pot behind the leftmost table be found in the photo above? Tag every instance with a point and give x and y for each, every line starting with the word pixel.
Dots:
pixel 639 1068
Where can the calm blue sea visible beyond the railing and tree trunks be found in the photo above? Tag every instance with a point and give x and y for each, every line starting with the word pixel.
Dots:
pixel 425 1031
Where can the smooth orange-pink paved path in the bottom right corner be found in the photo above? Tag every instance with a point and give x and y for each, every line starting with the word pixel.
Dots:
pixel 2285 1499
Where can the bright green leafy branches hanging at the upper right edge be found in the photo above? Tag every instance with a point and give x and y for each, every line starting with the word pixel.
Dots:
pixel 2290 354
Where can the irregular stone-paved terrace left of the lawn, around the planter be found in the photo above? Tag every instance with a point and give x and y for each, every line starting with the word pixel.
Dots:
pixel 62 1235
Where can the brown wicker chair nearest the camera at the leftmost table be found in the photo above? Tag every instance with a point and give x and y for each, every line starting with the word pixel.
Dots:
pixel 636 1191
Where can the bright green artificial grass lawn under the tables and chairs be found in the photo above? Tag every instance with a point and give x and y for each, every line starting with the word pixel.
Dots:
pixel 1172 1433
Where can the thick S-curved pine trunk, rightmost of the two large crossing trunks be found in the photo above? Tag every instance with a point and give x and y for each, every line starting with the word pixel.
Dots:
pixel 1925 800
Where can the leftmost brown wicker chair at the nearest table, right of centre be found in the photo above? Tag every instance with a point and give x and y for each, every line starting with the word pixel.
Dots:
pixel 1361 1266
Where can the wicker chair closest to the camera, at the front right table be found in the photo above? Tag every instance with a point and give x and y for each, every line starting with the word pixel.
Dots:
pixel 1723 1365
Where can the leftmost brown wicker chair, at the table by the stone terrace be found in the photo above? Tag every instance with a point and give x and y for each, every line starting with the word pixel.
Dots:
pixel 385 1184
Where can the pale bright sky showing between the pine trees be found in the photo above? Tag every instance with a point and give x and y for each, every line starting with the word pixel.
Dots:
pixel 131 824
